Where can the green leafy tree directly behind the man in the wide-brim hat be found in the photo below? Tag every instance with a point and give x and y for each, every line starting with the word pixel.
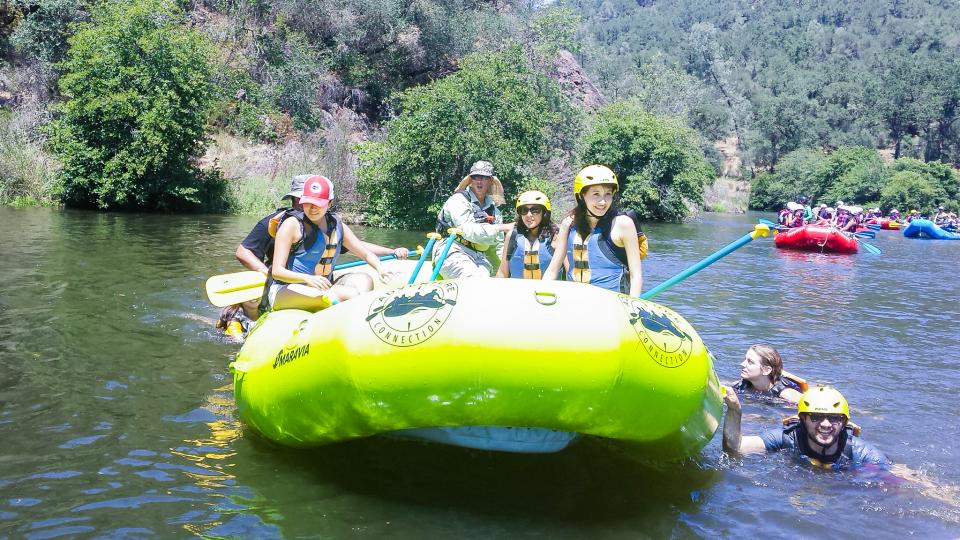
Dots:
pixel 495 108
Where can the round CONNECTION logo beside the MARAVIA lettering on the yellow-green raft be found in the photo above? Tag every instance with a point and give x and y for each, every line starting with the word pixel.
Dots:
pixel 410 316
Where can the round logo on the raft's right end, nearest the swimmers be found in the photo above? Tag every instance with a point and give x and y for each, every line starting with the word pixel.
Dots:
pixel 660 332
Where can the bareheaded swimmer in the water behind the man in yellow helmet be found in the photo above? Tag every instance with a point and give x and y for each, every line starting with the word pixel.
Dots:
pixel 761 372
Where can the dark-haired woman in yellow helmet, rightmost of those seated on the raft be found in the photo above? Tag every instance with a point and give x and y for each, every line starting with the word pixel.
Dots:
pixel 601 245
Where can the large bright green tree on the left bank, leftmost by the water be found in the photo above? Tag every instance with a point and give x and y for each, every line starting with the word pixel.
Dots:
pixel 137 87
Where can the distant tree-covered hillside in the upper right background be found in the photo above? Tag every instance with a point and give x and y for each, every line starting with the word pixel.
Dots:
pixel 785 75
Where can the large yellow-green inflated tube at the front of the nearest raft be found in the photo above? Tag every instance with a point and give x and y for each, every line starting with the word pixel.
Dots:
pixel 481 352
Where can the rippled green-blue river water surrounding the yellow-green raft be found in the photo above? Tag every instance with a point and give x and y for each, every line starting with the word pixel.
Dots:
pixel 117 415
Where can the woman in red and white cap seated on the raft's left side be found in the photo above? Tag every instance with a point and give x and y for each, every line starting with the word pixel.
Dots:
pixel 306 250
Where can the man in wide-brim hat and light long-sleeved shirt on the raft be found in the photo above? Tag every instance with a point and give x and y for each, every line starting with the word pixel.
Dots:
pixel 473 209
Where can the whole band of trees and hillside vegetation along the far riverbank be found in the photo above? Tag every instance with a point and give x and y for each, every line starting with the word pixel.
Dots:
pixel 161 106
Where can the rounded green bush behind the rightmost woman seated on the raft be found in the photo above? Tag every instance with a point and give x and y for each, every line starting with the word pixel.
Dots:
pixel 658 161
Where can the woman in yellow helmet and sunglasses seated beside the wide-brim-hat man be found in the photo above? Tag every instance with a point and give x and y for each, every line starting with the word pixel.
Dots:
pixel 529 247
